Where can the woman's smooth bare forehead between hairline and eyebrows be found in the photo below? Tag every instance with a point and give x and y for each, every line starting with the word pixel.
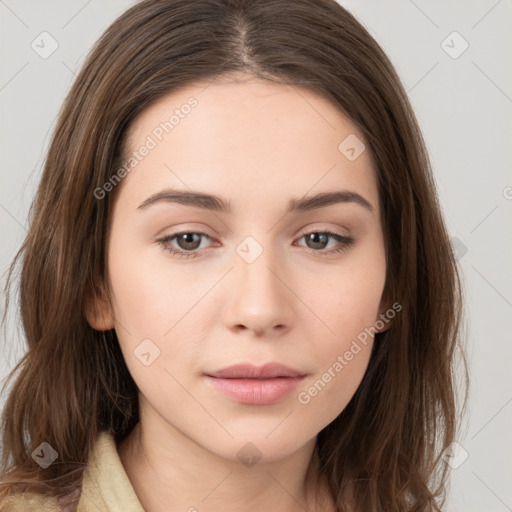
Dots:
pixel 252 136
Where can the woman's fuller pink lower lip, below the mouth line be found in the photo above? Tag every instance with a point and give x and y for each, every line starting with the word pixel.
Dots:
pixel 255 391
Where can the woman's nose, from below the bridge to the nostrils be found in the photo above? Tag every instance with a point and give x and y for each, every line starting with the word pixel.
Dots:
pixel 260 298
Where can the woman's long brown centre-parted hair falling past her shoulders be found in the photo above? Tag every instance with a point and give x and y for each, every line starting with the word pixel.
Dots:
pixel 384 451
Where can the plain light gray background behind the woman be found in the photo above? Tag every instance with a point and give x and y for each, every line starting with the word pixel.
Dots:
pixel 464 108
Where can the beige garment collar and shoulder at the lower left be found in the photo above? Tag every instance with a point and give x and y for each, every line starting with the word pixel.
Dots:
pixel 105 486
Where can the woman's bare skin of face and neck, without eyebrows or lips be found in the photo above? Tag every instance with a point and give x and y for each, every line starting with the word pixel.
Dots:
pixel 257 144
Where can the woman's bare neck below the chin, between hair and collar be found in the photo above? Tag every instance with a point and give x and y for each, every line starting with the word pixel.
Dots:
pixel 175 473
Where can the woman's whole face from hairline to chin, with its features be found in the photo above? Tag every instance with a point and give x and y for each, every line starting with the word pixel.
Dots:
pixel 259 275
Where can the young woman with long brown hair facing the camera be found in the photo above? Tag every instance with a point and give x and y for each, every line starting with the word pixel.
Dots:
pixel 237 274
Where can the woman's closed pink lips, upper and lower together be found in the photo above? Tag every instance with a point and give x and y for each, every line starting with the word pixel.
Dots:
pixel 254 385
